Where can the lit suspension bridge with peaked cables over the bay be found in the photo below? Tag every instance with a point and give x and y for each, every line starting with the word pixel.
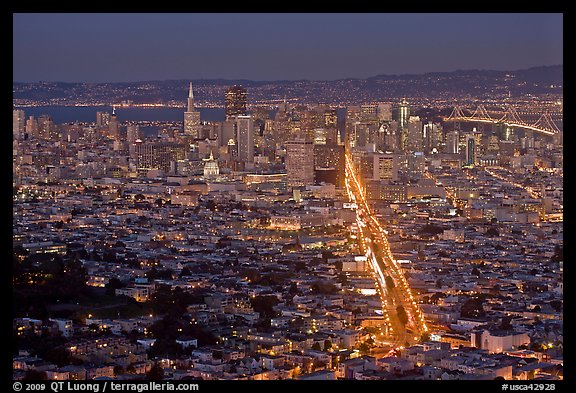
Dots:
pixel 544 124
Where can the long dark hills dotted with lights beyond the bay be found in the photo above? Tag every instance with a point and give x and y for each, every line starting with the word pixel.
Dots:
pixel 480 84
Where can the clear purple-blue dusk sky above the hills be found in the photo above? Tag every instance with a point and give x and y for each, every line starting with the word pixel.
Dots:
pixel 260 46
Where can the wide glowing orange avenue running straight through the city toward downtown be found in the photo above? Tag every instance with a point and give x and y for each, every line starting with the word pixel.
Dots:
pixel 392 286
